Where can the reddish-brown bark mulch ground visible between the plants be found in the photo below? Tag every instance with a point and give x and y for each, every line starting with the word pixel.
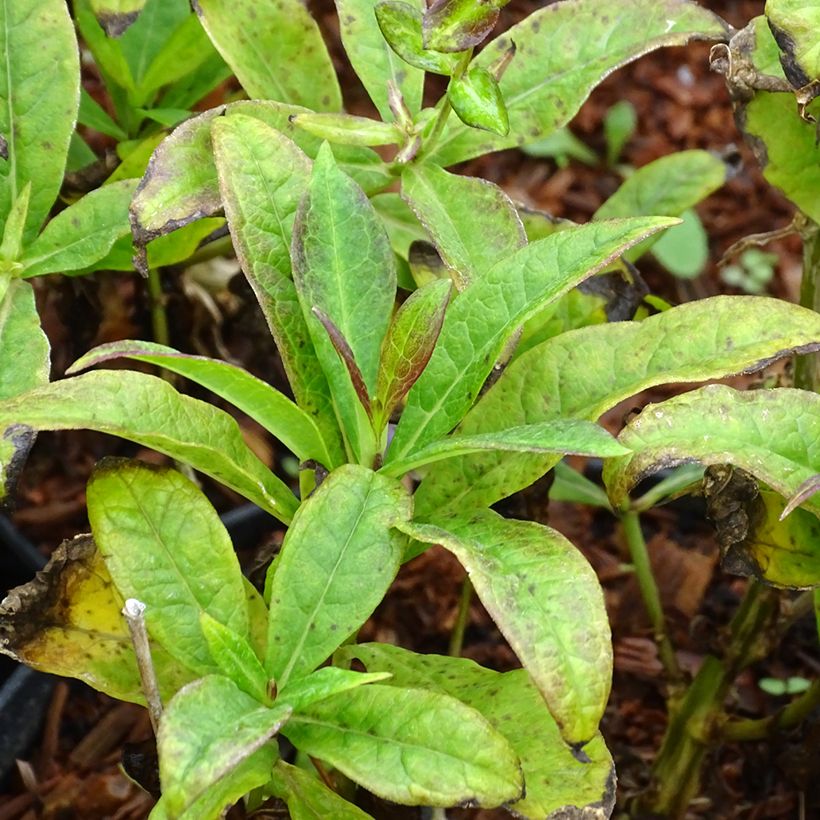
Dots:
pixel 74 770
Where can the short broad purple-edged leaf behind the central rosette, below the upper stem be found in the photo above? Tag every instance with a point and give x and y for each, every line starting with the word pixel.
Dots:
pixel 473 222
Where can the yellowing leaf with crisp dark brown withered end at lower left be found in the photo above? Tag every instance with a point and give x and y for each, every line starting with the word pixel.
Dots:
pixel 68 621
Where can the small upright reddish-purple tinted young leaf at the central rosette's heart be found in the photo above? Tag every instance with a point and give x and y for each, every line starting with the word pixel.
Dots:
pixel 408 346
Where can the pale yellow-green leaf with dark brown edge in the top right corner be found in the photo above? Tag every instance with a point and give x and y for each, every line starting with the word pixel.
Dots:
pixel 795 24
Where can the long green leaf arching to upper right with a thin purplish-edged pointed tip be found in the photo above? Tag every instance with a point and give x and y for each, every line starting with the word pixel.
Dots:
pixel 481 321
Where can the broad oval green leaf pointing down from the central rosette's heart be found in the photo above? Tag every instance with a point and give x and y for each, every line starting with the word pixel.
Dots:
pixel 342 533
